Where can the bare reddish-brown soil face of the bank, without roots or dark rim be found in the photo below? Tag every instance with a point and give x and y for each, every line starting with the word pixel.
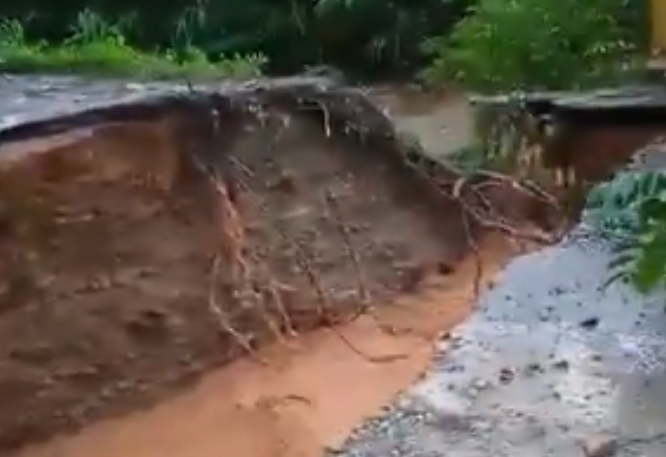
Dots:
pixel 107 245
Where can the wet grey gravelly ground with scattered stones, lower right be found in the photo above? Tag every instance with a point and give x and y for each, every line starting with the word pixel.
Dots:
pixel 552 364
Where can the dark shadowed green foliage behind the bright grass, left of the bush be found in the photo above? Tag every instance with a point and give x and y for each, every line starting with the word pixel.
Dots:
pixel 367 36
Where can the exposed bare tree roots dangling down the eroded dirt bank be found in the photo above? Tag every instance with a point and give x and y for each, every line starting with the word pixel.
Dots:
pixel 473 194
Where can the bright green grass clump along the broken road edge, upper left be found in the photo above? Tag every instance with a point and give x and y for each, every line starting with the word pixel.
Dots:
pixel 97 47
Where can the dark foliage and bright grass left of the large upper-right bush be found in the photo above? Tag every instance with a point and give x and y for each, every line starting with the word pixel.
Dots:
pixel 365 37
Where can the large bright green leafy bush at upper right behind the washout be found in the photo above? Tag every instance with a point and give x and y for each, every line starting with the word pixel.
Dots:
pixel 537 44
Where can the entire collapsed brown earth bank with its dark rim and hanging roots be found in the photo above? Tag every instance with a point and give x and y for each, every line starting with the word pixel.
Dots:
pixel 146 242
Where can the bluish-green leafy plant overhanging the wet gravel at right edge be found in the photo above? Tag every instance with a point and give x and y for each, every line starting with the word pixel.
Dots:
pixel 632 209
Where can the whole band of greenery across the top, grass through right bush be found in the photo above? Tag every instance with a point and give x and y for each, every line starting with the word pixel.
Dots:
pixel 485 45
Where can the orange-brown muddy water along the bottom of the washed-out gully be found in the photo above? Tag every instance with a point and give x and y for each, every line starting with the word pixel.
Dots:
pixel 310 396
